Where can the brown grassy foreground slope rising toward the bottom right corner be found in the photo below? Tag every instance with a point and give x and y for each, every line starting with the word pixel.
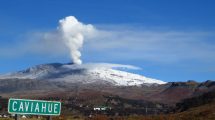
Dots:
pixel 205 112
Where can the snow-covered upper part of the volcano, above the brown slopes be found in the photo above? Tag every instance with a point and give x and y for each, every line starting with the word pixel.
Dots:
pixel 99 73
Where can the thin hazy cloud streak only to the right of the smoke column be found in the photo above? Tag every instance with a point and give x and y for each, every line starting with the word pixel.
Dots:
pixel 155 46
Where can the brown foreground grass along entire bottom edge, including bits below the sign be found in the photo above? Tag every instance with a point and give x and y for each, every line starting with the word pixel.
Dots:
pixel 205 112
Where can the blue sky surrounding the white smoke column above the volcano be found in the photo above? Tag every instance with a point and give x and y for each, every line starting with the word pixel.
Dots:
pixel 169 40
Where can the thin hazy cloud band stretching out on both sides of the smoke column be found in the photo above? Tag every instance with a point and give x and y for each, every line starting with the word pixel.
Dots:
pixel 123 43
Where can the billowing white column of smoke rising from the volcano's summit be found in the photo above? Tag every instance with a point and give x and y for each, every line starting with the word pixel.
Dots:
pixel 73 34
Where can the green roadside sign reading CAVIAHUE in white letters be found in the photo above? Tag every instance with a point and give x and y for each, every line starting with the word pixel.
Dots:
pixel 34 107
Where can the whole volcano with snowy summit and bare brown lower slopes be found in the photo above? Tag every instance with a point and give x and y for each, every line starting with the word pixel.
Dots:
pixel 95 80
